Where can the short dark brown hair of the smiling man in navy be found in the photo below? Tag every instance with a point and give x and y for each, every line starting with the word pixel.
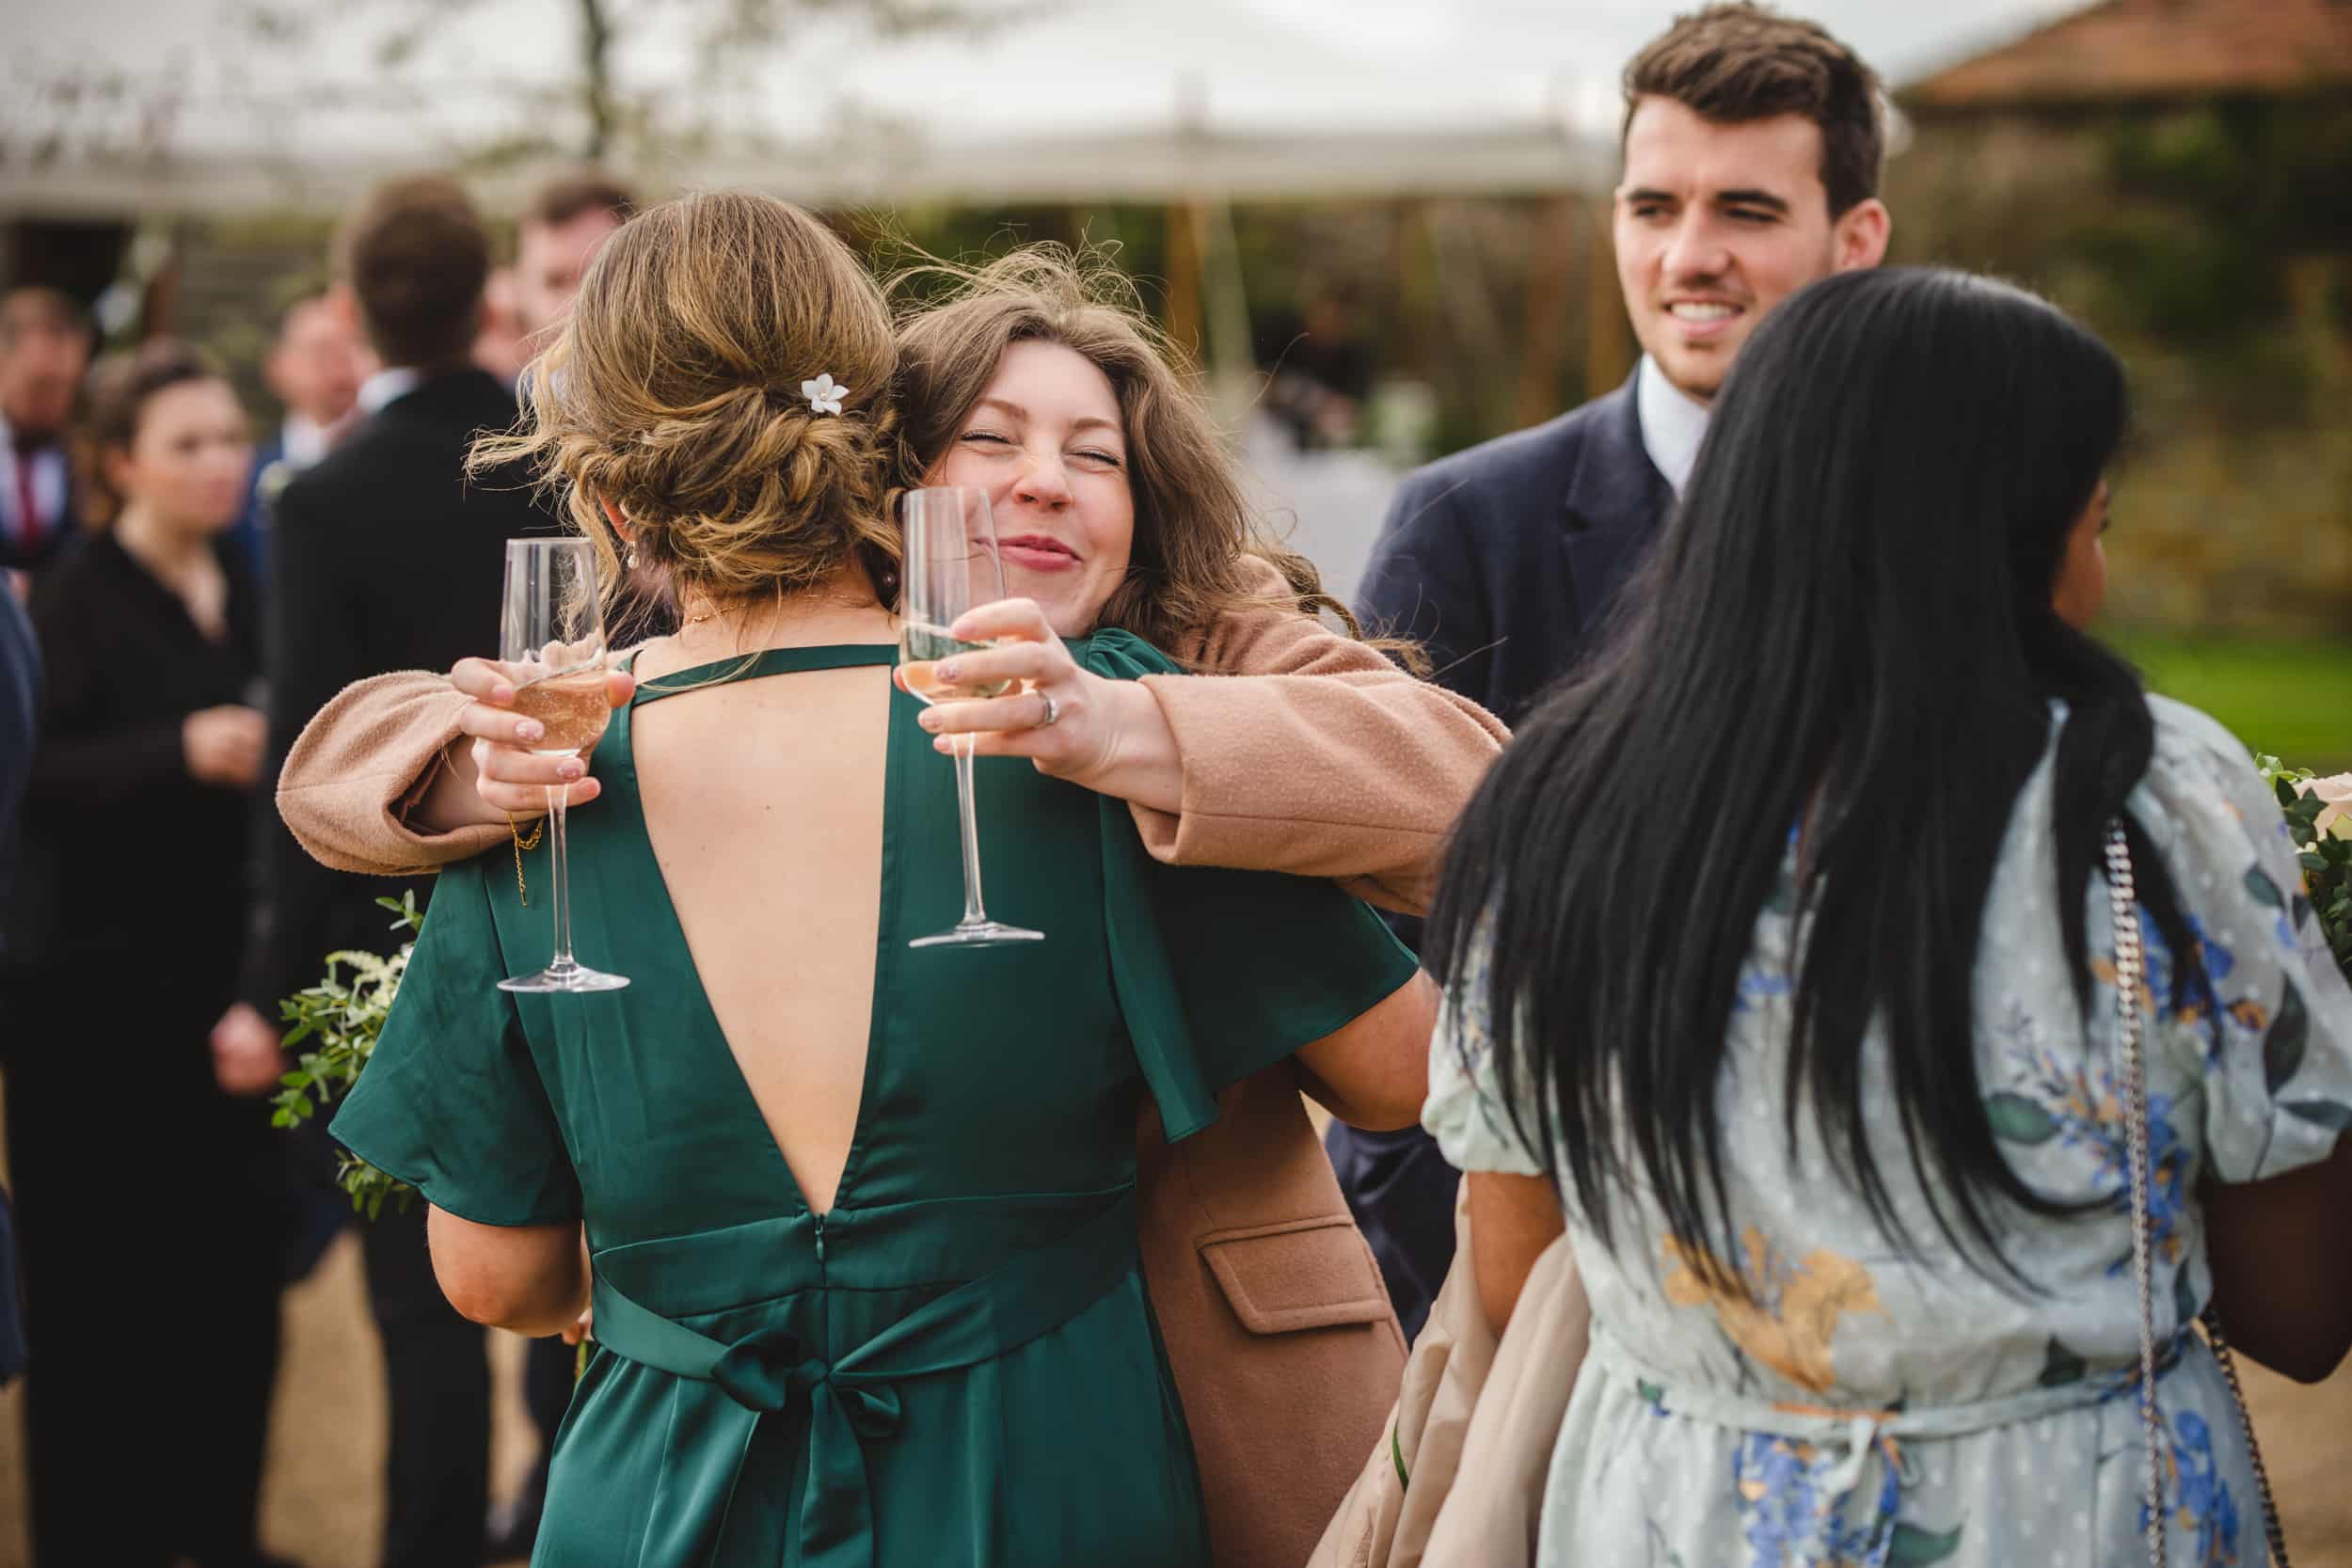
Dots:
pixel 1742 62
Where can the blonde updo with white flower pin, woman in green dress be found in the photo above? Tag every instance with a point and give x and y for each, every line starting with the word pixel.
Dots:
pixel 674 394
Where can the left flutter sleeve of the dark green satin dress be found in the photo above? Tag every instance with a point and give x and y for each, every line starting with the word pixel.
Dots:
pixel 453 1101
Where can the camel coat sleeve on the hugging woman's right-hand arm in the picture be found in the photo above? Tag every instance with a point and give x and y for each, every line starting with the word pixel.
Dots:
pixel 1325 763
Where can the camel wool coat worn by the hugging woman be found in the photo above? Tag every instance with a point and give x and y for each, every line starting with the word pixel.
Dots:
pixel 1325 763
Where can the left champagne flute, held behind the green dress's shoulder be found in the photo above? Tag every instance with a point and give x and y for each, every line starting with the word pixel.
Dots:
pixel 552 641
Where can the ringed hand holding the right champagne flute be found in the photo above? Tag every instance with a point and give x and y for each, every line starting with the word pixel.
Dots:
pixel 1102 735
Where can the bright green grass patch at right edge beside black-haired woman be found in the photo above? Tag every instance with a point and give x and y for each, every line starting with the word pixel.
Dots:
pixel 2292 699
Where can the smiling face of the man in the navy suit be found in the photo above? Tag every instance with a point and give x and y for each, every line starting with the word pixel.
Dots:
pixel 1716 225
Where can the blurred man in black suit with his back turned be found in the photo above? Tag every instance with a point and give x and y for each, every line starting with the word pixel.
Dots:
pixel 387 558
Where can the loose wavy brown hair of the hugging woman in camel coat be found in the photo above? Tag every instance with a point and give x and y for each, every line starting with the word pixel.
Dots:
pixel 1194 523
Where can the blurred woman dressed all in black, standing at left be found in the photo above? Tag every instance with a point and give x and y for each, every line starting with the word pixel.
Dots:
pixel 133 885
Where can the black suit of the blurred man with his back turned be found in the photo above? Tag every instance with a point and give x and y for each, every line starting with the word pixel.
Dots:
pixel 387 558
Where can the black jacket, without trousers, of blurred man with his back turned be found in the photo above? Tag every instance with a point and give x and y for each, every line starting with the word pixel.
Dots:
pixel 385 556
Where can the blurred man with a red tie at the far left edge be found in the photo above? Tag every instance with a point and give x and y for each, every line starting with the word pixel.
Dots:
pixel 44 354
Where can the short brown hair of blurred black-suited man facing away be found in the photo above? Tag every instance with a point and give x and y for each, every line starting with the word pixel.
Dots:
pixel 417 255
